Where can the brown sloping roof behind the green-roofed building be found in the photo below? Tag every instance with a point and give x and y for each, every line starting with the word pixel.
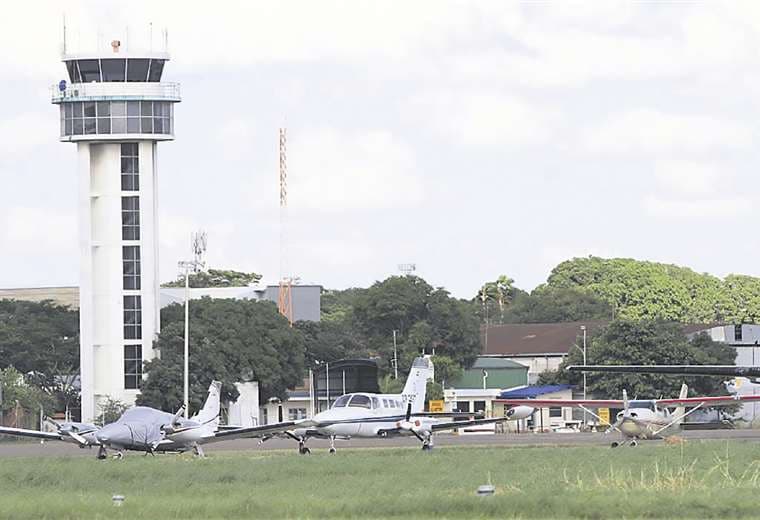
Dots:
pixel 534 338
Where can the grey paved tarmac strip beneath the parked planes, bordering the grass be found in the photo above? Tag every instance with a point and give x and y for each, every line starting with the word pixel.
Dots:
pixel 54 448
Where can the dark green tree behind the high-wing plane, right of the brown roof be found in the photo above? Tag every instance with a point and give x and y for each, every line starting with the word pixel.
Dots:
pixel 625 342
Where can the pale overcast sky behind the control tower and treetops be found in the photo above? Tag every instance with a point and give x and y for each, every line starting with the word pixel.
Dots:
pixel 470 138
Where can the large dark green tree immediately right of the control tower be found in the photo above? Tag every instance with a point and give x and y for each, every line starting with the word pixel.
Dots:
pixel 230 341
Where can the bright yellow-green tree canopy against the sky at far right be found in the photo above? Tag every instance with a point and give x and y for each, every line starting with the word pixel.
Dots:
pixel 648 290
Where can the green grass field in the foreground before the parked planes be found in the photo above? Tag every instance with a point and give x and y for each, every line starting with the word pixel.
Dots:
pixel 698 480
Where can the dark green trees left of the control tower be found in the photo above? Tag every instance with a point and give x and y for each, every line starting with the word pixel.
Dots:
pixel 41 340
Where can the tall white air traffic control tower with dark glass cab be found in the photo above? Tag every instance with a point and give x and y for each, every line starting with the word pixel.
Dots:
pixel 116 108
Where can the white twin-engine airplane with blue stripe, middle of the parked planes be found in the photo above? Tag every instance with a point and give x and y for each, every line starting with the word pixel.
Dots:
pixel 376 415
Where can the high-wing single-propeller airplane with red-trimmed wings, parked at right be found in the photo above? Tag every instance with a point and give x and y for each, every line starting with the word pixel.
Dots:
pixel 639 419
